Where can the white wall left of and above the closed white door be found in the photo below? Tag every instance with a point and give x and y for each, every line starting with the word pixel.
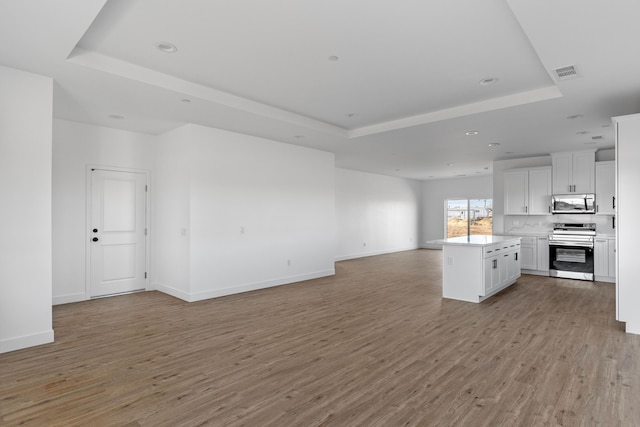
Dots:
pixel 75 146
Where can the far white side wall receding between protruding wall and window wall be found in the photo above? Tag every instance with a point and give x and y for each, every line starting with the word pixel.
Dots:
pixel 375 214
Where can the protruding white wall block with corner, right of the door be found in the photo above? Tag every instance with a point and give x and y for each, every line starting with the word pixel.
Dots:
pixel 261 213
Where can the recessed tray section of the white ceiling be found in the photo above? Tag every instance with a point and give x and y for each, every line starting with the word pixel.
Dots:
pixel 121 42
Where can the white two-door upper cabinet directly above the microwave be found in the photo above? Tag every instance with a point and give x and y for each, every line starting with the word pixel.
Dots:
pixel 574 172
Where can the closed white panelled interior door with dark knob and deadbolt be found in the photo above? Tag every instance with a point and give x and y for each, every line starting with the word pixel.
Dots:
pixel 117 232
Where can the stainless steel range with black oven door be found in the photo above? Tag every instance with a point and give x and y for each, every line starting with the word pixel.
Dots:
pixel 571 250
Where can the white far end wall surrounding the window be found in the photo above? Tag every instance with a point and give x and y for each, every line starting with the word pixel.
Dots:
pixel 434 196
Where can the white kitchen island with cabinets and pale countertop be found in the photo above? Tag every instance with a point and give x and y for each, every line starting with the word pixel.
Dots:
pixel 476 267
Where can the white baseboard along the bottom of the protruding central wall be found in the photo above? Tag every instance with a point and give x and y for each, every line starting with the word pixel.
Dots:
pixel 216 293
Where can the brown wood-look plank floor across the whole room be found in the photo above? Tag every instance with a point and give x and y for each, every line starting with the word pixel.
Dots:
pixel 376 345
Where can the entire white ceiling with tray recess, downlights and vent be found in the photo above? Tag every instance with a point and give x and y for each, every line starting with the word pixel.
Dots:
pixel 397 101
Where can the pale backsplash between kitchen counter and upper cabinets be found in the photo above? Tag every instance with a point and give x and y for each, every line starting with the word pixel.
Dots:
pixel 541 224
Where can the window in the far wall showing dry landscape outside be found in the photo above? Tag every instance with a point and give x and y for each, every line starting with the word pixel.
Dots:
pixel 469 217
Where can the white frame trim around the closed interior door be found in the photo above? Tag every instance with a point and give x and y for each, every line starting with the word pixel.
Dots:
pixel 87 233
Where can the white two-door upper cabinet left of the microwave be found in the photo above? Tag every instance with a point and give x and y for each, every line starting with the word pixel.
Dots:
pixel 527 191
